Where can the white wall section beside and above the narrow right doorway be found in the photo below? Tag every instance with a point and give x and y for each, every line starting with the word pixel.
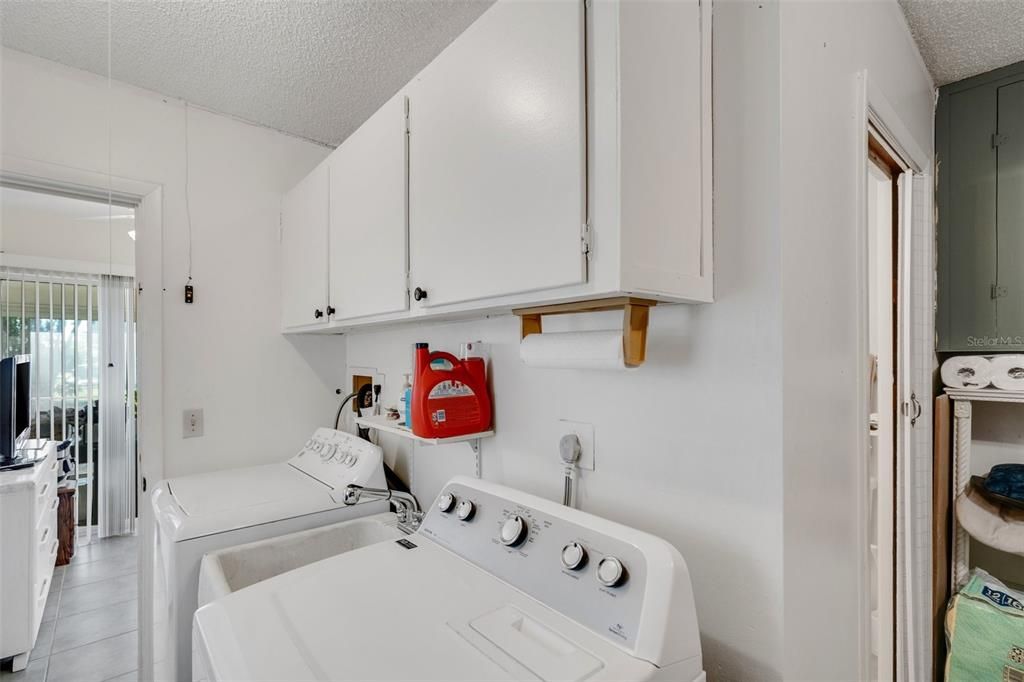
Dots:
pixel 824 47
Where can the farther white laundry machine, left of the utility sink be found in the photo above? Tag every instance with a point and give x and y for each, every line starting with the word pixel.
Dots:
pixel 205 513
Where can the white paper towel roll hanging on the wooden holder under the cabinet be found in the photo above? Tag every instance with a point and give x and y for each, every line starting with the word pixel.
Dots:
pixel 574 351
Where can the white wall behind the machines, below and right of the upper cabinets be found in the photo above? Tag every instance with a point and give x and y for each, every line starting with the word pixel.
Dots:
pixel 689 446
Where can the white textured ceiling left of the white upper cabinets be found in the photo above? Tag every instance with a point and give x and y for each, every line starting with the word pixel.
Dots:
pixel 316 69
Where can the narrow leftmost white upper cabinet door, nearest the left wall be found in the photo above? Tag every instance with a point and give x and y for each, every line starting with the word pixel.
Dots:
pixel 304 245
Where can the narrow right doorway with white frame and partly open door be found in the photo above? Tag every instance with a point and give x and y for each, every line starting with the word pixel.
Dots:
pixel 897 296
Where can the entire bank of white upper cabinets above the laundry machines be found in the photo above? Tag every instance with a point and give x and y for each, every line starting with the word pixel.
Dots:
pixel 558 151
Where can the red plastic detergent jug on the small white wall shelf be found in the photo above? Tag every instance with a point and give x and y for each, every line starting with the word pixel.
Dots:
pixel 450 398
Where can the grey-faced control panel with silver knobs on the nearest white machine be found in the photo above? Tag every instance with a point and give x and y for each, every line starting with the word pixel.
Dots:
pixel 590 570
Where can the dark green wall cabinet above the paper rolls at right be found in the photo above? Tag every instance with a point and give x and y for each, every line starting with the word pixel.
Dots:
pixel 979 131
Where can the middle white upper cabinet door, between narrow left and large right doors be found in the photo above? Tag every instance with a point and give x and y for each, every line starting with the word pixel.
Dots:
pixel 369 262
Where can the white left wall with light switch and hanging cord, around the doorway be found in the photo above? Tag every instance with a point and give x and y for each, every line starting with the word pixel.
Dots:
pixel 263 394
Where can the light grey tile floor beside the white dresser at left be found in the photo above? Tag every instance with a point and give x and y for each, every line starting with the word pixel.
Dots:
pixel 90 630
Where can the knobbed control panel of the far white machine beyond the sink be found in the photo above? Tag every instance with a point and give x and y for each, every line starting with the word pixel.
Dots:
pixel 337 459
